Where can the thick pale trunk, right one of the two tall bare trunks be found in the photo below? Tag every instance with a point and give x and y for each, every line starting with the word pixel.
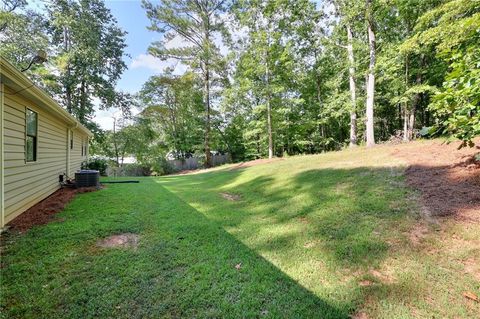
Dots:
pixel 371 77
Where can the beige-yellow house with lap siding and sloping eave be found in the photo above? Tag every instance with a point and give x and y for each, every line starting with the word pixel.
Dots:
pixel 39 142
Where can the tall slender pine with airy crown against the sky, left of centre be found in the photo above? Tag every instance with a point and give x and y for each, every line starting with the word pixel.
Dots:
pixel 197 23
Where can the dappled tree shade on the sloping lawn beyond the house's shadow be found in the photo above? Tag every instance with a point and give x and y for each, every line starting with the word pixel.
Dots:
pixel 348 212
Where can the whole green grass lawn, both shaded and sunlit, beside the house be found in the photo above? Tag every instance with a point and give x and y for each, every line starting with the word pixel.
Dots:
pixel 324 236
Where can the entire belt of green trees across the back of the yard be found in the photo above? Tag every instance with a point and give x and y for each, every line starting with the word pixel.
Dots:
pixel 263 78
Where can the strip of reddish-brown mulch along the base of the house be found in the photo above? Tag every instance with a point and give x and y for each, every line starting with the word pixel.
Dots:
pixel 44 211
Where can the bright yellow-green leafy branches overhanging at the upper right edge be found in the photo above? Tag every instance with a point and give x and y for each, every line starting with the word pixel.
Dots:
pixel 453 30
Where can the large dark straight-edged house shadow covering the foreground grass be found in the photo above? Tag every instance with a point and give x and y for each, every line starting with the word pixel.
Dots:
pixel 186 266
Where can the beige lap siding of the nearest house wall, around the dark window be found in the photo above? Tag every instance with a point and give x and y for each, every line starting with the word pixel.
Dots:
pixel 28 183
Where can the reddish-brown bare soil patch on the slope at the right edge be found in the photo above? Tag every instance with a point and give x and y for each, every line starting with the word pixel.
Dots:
pixel 447 178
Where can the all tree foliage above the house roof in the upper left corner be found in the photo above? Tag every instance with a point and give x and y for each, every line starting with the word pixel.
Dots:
pixel 85 49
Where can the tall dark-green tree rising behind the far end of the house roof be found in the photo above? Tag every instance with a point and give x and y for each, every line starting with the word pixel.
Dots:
pixel 89 60
